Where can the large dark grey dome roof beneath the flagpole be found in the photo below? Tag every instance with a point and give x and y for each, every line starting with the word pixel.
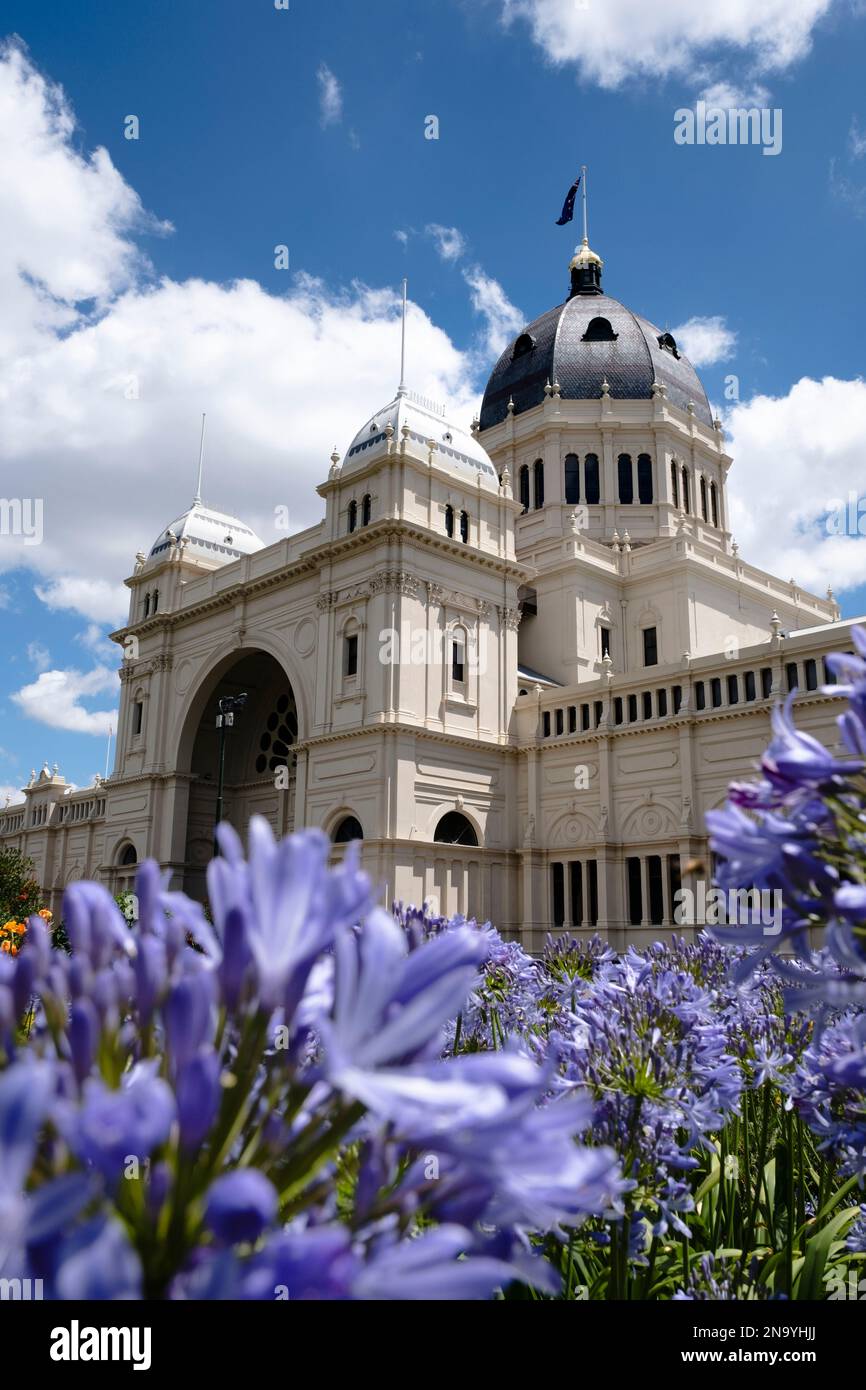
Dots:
pixel 566 345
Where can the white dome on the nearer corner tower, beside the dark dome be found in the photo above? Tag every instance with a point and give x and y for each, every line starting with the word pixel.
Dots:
pixel 457 450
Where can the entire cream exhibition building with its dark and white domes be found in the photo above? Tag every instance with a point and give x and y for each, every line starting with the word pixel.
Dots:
pixel 521 662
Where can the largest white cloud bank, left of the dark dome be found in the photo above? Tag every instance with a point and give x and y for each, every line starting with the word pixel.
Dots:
pixel 102 408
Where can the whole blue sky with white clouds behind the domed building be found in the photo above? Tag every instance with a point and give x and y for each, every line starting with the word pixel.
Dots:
pixel 262 127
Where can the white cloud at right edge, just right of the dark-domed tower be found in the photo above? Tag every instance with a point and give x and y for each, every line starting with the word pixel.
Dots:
pixel 794 457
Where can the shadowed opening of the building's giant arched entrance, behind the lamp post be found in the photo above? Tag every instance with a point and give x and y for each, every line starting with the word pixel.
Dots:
pixel 259 764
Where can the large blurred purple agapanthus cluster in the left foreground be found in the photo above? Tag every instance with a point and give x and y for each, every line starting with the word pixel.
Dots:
pixel 259 1109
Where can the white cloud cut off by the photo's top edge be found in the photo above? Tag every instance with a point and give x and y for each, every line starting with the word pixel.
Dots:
pixel 614 41
